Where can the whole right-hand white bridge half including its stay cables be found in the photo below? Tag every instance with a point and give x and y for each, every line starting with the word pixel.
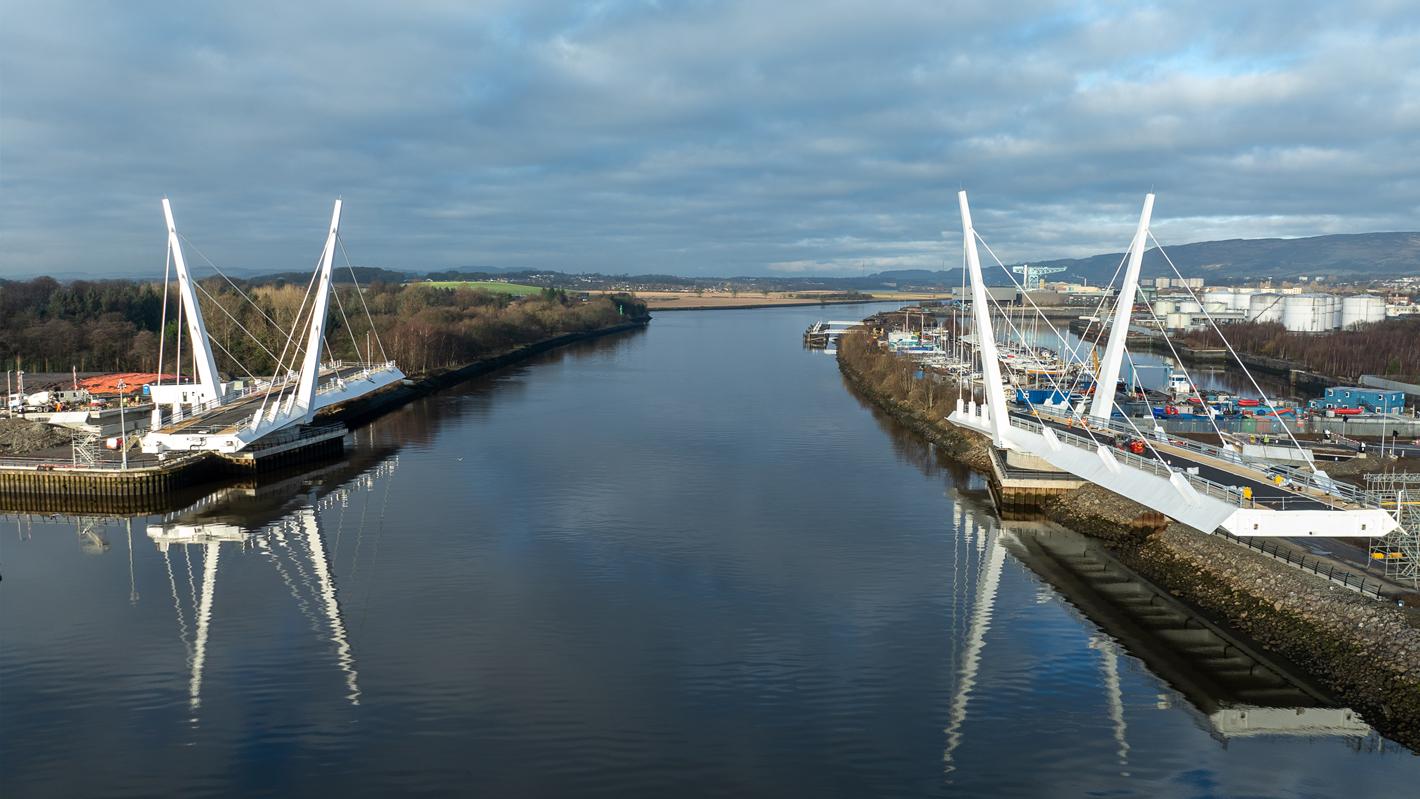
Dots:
pixel 1208 487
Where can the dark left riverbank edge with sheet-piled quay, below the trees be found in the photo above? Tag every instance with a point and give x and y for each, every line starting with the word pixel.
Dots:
pixel 58 486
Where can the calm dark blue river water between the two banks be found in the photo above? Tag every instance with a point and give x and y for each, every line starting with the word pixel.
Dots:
pixel 674 564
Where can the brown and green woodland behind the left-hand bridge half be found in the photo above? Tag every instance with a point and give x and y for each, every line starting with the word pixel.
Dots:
pixel 117 326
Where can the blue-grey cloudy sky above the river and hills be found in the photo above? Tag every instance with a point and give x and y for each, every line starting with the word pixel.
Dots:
pixel 697 138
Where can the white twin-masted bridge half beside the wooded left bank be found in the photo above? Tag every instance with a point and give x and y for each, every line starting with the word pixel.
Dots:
pixel 207 415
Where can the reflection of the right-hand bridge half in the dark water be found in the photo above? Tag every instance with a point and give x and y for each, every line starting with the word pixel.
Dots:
pixel 1230 686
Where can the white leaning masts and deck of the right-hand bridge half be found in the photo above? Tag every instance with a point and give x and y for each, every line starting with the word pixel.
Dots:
pixel 1202 486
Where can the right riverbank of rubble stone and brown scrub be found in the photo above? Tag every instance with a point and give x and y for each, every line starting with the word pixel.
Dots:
pixel 1367 652
